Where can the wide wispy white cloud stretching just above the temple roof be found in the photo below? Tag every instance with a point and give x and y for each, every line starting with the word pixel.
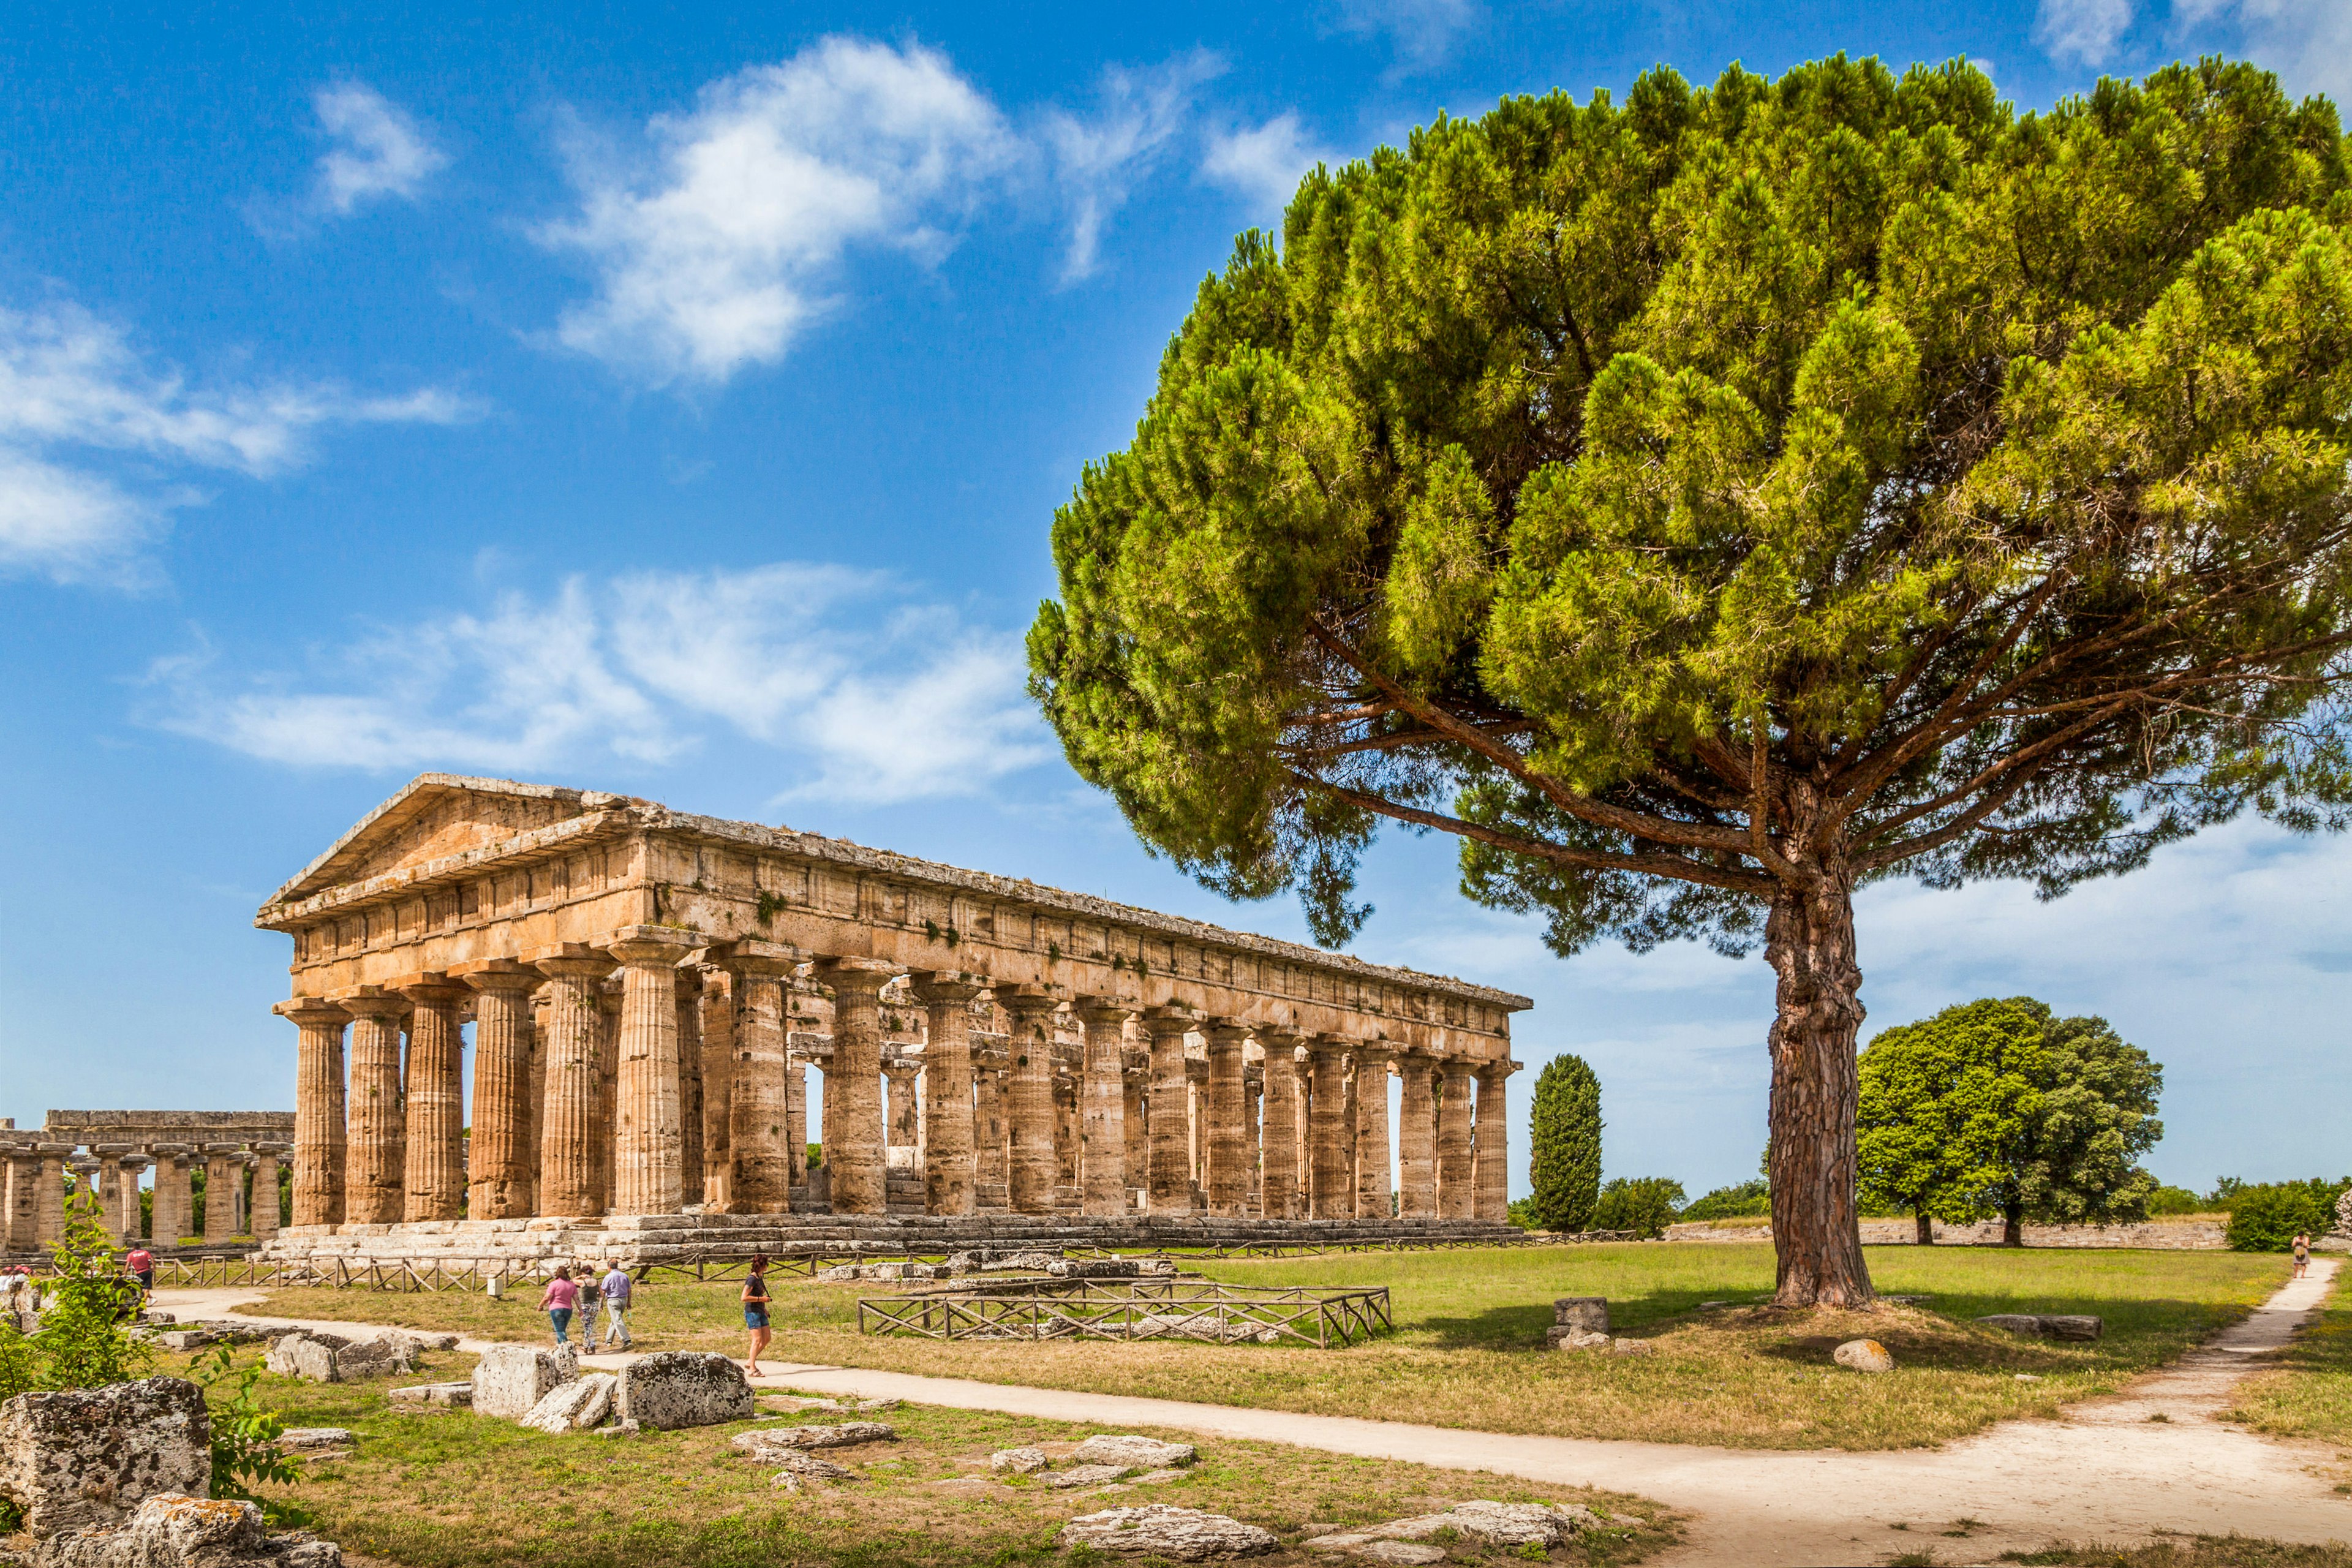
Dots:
pixel 869 695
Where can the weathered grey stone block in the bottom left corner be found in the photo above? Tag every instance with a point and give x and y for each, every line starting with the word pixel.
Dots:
pixel 93 1456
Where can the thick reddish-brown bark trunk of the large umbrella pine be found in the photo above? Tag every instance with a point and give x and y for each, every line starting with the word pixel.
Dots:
pixel 1815 1221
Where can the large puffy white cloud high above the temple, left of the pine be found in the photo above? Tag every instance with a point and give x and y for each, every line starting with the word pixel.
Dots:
pixel 728 248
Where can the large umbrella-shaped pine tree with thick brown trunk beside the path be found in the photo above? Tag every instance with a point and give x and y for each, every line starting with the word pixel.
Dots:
pixel 1711 504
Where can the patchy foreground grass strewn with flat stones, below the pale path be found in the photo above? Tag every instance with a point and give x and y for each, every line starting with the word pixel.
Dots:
pixel 460 1492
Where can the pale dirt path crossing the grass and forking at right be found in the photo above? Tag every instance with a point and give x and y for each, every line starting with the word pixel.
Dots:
pixel 2102 1473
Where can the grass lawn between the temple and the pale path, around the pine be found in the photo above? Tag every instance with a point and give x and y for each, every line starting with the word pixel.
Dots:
pixel 1469 1346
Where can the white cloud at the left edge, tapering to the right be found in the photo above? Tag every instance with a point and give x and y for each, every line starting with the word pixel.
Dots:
pixel 72 384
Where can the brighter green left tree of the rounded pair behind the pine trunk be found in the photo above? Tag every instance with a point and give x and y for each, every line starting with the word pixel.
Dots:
pixel 1942 1101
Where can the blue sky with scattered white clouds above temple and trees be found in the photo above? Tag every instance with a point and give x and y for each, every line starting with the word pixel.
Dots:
pixel 676 401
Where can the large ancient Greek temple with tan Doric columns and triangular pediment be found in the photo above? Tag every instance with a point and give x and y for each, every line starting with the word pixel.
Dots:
pixel 650 993
